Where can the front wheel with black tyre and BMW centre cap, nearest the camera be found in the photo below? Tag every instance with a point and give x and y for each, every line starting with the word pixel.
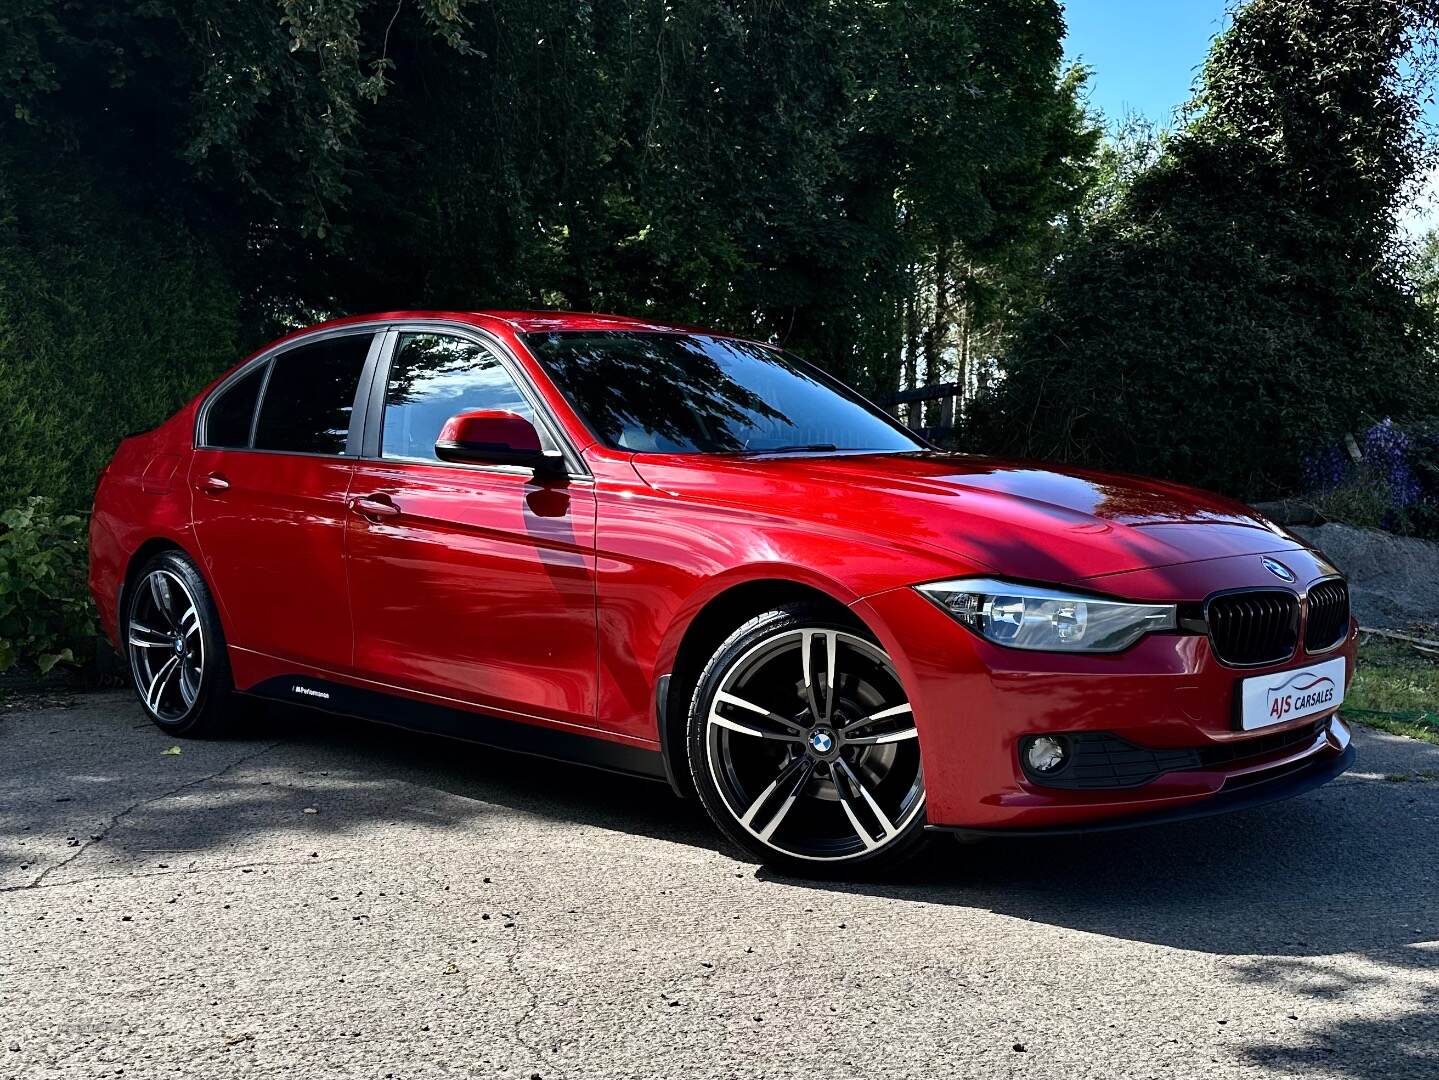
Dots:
pixel 804 749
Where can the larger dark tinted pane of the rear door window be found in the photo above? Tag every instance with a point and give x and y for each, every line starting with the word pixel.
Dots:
pixel 312 398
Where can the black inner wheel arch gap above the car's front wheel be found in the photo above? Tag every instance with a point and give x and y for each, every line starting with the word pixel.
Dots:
pixel 697 641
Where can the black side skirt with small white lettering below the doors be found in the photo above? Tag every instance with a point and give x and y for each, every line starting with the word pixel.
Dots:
pixel 458 724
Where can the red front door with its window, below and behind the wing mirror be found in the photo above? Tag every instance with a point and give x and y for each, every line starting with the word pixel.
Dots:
pixel 470 583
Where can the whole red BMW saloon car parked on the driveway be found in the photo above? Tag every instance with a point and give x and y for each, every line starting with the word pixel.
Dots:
pixel 697 559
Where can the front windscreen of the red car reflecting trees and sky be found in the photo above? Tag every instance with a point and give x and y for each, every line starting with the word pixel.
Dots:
pixel 681 393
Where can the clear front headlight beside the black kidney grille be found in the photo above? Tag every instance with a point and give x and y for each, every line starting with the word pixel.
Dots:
pixel 1048 619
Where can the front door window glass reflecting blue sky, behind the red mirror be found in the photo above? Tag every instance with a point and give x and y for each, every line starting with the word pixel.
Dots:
pixel 434 377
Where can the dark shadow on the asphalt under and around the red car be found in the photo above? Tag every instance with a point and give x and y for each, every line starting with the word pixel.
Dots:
pixel 1329 895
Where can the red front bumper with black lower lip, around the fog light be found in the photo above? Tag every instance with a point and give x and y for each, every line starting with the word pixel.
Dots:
pixel 973 703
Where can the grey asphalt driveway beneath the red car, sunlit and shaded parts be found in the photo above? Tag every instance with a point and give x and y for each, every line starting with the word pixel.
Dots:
pixel 329 900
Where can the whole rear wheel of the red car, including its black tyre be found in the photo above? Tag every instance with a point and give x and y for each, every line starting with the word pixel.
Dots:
pixel 176 649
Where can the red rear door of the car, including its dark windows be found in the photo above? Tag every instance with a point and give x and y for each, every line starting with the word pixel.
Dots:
pixel 270 497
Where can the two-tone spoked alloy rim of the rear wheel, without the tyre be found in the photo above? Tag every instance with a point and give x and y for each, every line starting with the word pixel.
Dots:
pixel 166 645
